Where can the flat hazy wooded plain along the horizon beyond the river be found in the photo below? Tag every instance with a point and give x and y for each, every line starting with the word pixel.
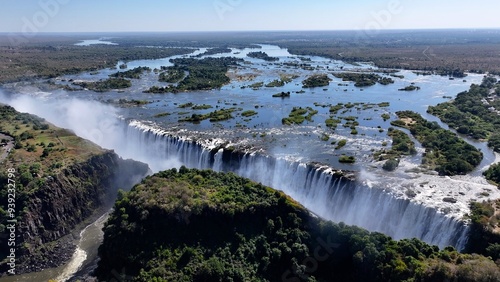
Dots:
pixel 443 51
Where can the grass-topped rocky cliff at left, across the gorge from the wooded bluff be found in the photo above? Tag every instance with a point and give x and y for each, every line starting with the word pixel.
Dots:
pixel 61 182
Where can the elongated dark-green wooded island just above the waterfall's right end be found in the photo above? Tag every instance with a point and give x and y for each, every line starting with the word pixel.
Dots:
pixel 445 152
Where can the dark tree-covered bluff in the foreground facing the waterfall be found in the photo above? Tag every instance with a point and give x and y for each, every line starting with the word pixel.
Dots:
pixel 200 225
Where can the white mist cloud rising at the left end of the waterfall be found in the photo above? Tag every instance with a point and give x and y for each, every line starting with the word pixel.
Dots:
pixel 91 120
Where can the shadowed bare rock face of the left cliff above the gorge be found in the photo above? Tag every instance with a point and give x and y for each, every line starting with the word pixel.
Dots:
pixel 77 194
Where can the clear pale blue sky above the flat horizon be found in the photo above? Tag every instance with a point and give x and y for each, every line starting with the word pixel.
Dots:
pixel 225 15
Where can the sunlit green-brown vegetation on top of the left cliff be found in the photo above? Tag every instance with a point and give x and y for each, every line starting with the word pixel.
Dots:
pixel 40 150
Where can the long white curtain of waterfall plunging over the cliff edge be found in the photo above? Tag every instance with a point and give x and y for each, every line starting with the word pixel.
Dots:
pixel 325 193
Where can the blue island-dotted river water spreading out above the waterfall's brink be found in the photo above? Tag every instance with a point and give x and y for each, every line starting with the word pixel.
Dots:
pixel 265 130
